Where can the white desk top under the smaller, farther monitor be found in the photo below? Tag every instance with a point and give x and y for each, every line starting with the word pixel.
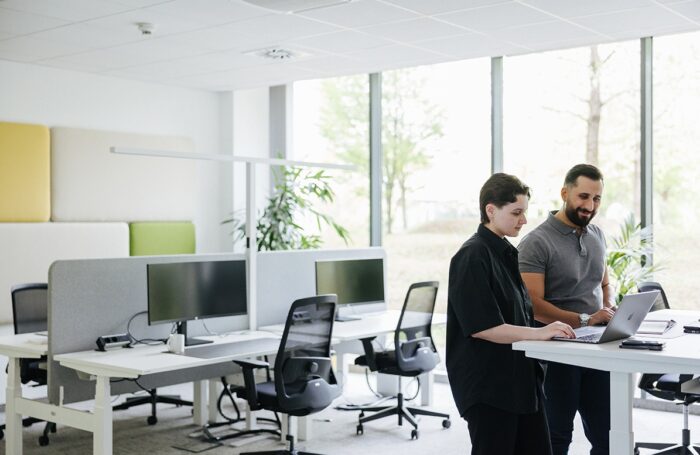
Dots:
pixel 371 325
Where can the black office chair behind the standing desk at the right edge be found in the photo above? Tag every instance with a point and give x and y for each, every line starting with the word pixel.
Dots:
pixel 668 387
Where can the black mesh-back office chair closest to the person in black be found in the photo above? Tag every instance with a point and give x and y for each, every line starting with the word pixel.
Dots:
pixel 414 354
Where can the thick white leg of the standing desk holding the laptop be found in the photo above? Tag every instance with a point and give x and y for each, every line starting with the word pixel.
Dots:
pixel 621 401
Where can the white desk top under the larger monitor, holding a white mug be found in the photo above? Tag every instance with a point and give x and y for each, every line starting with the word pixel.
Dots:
pixel 142 359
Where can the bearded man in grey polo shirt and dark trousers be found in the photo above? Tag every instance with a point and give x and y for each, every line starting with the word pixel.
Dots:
pixel 562 263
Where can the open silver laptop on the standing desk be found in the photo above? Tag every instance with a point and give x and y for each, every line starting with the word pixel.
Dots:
pixel 624 323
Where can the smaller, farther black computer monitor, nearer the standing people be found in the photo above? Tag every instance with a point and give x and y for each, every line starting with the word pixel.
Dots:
pixel 354 281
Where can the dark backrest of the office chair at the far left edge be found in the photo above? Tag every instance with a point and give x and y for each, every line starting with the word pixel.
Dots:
pixel 30 307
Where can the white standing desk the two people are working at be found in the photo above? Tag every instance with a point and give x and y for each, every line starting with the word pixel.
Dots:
pixel 681 355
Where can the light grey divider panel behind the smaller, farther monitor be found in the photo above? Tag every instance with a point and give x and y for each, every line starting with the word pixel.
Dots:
pixel 284 276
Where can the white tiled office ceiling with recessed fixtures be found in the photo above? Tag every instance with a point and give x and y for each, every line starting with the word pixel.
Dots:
pixel 204 43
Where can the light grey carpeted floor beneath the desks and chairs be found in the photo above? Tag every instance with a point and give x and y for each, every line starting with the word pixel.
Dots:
pixel 334 431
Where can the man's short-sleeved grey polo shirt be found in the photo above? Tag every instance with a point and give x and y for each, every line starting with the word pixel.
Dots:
pixel 573 266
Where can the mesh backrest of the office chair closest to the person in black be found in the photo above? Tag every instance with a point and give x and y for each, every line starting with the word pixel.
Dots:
pixel 413 341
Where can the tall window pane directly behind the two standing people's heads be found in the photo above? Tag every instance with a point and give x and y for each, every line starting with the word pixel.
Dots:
pixel 572 106
